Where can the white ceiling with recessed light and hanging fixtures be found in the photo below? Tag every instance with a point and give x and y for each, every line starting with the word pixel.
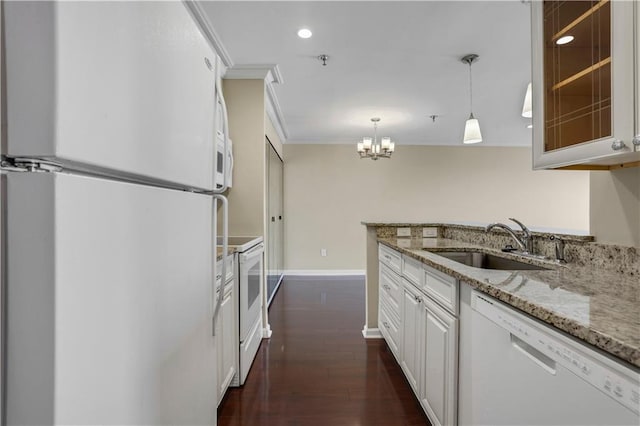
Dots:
pixel 396 60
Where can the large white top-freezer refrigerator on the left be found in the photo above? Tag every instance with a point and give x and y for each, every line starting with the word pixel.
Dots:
pixel 108 215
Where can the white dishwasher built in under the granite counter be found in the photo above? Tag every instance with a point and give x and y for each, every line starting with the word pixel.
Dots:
pixel 516 371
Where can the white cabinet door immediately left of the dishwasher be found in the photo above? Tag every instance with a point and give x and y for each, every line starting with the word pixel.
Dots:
pixel 438 391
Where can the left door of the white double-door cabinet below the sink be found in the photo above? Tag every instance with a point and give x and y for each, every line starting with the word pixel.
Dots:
pixel 412 335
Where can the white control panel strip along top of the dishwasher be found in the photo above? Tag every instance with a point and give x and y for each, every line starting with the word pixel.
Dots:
pixel 612 378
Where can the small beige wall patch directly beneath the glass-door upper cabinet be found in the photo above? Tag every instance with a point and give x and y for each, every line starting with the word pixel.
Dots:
pixel 615 206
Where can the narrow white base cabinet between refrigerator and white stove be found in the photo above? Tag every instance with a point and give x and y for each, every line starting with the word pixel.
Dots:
pixel 226 338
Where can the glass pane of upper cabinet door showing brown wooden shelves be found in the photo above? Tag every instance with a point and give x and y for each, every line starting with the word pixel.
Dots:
pixel 577 72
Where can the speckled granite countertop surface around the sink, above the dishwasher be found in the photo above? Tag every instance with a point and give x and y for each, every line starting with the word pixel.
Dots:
pixel 597 306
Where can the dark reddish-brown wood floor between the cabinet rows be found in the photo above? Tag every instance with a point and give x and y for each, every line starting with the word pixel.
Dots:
pixel 317 369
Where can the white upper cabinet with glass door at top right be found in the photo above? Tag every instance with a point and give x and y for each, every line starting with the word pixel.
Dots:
pixel 584 80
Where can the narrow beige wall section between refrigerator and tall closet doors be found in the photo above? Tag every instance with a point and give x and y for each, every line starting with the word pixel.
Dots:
pixel 245 105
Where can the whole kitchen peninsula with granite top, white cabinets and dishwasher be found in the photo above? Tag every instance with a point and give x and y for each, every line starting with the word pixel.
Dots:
pixel 466 334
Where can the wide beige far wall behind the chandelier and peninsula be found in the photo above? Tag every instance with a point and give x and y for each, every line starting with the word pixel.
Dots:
pixel 329 191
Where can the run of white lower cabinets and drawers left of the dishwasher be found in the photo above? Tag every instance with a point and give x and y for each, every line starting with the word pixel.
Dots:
pixel 418 319
